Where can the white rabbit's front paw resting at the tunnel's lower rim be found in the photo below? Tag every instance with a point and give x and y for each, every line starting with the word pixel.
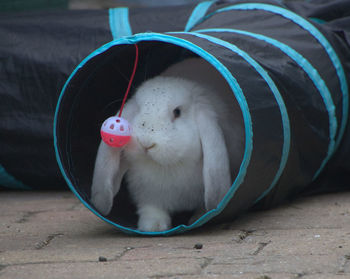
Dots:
pixel 152 219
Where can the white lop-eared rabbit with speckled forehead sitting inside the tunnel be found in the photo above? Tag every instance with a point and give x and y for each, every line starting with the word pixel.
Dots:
pixel 187 143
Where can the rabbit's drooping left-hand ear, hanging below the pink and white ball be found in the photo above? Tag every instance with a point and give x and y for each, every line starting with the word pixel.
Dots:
pixel 108 174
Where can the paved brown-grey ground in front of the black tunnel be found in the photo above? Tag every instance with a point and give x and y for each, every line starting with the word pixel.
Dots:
pixel 51 235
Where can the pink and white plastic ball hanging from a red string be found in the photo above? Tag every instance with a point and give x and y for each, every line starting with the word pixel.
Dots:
pixel 116 131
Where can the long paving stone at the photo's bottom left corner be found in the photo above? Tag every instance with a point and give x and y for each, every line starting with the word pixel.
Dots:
pixel 93 270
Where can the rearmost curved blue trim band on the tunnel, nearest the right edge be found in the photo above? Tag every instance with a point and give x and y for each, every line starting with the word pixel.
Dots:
pixel 306 25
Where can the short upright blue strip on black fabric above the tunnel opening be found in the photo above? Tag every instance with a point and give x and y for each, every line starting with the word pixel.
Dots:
pixel 119 22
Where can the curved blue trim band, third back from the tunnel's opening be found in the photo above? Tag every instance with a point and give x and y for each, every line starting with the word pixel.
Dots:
pixel 309 70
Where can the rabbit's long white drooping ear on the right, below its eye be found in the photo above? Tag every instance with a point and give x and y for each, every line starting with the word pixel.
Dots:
pixel 216 166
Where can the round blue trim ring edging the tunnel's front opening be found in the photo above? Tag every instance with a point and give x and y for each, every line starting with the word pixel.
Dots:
pixel 237 91
